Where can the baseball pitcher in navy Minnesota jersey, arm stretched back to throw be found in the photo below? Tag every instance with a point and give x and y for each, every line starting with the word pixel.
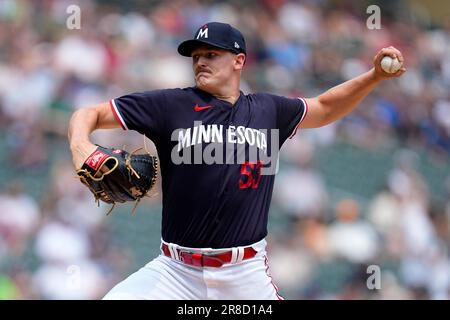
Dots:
pixel 217 148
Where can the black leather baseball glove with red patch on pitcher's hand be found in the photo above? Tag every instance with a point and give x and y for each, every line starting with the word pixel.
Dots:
pixel 114 175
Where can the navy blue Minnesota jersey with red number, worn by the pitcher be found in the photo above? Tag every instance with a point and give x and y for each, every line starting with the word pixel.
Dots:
pixel 212 204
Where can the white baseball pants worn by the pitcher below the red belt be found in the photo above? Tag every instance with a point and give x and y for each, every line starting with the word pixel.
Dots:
pixel 166 278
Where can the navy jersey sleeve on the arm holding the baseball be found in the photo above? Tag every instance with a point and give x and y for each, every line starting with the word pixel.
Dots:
pixel 290 113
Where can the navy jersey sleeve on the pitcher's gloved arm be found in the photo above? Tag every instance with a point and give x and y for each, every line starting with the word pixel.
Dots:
pixel 141 111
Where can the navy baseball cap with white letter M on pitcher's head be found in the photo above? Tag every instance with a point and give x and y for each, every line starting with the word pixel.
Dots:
pixel 216 34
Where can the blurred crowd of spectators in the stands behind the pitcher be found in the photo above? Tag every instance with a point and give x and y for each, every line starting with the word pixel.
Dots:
pixel 295 48
